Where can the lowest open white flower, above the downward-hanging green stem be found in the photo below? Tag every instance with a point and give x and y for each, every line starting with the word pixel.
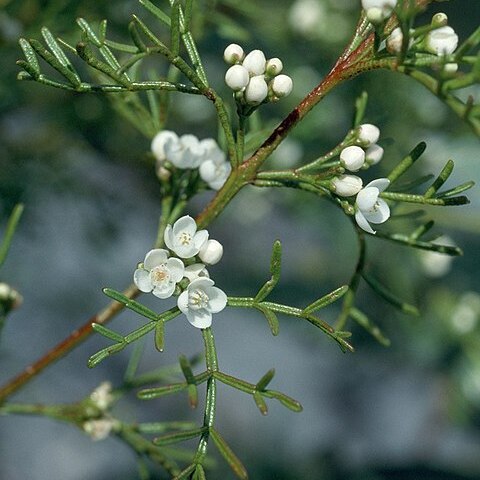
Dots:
pixel 200 300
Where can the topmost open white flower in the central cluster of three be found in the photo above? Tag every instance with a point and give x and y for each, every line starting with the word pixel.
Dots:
pixel 183 238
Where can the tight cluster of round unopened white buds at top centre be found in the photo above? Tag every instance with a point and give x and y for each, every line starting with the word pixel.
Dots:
pixel 253 77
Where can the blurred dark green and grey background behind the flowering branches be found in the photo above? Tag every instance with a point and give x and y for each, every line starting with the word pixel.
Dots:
pixel 411 411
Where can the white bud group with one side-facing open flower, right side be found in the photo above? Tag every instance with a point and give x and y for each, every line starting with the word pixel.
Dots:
pixel 369 208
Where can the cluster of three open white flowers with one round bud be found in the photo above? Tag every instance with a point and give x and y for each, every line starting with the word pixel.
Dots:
pixel 161 273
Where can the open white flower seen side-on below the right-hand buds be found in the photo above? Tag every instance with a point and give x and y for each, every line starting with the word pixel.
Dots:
pixel 371 208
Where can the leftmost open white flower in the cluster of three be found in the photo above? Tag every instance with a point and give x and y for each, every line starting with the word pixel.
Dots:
pixel 158 273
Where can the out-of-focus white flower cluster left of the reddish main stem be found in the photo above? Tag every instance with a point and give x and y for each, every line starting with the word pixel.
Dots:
pixel 188 152
